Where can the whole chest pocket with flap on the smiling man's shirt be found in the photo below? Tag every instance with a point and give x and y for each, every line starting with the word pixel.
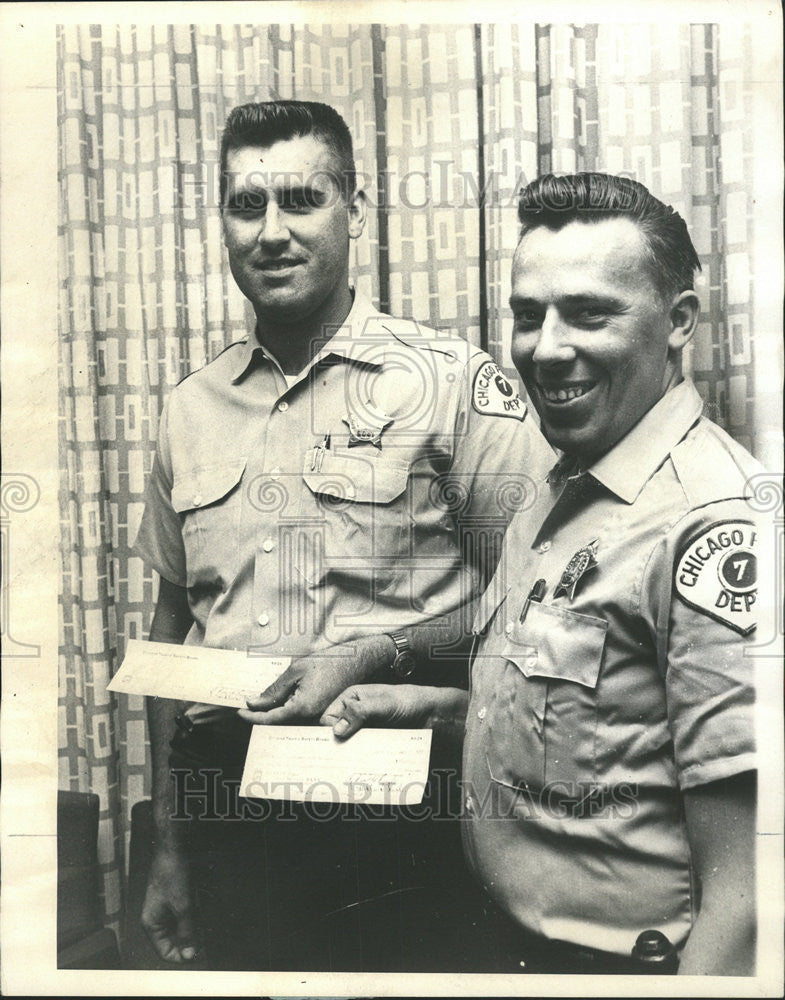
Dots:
pixel 557 654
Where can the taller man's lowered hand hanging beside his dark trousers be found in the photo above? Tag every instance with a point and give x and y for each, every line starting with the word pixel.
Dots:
pixel 167 910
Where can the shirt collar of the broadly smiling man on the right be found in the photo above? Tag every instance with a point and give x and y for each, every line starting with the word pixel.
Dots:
pixel 628 466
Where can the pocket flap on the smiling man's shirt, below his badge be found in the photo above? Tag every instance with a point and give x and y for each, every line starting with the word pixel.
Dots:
pixel 558 644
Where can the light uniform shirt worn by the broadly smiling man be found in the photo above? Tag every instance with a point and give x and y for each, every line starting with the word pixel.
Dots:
pixel 592 710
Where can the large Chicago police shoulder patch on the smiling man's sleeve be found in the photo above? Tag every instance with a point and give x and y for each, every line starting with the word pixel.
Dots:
pixel 717 574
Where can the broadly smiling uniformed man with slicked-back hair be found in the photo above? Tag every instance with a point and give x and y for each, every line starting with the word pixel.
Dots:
pixel 609 754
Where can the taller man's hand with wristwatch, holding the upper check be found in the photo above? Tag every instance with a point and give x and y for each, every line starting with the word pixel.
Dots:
pixel 311 683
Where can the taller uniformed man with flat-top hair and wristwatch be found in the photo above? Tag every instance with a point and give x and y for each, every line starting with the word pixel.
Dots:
pixel 318 489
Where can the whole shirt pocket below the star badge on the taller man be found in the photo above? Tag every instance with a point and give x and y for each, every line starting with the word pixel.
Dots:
pixel 357 509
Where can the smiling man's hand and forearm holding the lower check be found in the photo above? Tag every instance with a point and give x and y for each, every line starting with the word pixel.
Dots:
pixel 400 705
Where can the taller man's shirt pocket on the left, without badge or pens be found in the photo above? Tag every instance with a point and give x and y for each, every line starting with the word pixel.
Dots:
pixel 207 498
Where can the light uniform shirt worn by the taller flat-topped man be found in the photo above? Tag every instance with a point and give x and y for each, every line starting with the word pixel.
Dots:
pixel 303 515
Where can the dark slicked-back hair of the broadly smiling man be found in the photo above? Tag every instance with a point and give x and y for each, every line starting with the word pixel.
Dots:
pixel 554 201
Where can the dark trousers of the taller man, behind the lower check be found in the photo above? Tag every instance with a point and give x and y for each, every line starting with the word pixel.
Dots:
pixel 297 886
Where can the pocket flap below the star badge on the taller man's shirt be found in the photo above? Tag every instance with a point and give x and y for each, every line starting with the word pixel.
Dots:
pixel 362 479
